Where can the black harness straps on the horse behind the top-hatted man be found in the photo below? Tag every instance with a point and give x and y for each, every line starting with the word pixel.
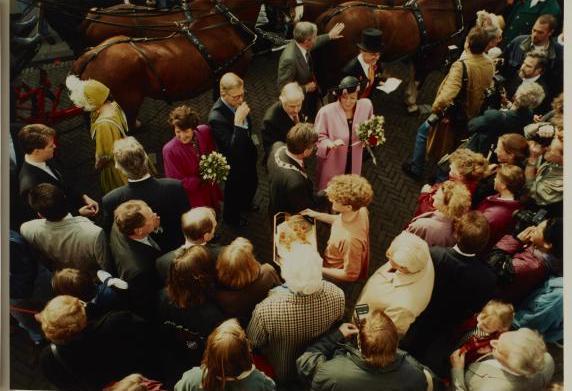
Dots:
pixel 413 7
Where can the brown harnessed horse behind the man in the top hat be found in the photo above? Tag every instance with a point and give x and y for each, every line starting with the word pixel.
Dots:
pixel 401 34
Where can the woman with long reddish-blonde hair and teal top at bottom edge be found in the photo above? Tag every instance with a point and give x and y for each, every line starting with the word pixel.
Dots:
pixel 227 361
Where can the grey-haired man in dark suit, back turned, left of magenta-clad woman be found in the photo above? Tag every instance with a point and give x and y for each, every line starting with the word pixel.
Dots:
pixel 165 195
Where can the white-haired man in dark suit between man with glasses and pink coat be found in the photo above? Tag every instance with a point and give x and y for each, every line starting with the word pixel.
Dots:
pixel 281 116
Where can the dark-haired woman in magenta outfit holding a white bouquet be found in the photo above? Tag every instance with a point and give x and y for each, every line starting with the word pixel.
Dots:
pixel 181 157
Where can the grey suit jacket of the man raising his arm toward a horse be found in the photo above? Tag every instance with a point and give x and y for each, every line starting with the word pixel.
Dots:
pixel 292 65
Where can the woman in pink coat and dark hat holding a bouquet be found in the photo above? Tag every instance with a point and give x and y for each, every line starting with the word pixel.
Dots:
pixel 339 149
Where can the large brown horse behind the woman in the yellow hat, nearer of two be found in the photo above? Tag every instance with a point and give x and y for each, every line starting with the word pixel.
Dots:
pixel 170 68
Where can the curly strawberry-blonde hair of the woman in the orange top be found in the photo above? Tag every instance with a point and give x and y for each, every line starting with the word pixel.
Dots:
pixel 350 189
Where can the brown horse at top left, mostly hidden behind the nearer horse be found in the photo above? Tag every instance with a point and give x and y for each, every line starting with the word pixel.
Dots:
pixel 140 21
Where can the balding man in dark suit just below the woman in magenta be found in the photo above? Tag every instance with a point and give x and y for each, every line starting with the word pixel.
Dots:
pixel 198 226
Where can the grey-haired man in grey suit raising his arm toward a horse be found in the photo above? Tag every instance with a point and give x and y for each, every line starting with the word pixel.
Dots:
pixel 295 62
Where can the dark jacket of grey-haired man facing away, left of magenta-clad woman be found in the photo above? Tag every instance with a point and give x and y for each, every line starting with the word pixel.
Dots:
pixel 165 196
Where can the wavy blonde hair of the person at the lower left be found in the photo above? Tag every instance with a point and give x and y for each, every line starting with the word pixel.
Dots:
pixel 63 318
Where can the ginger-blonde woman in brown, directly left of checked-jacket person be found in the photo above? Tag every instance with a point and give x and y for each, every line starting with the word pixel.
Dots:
pixel 241 281
